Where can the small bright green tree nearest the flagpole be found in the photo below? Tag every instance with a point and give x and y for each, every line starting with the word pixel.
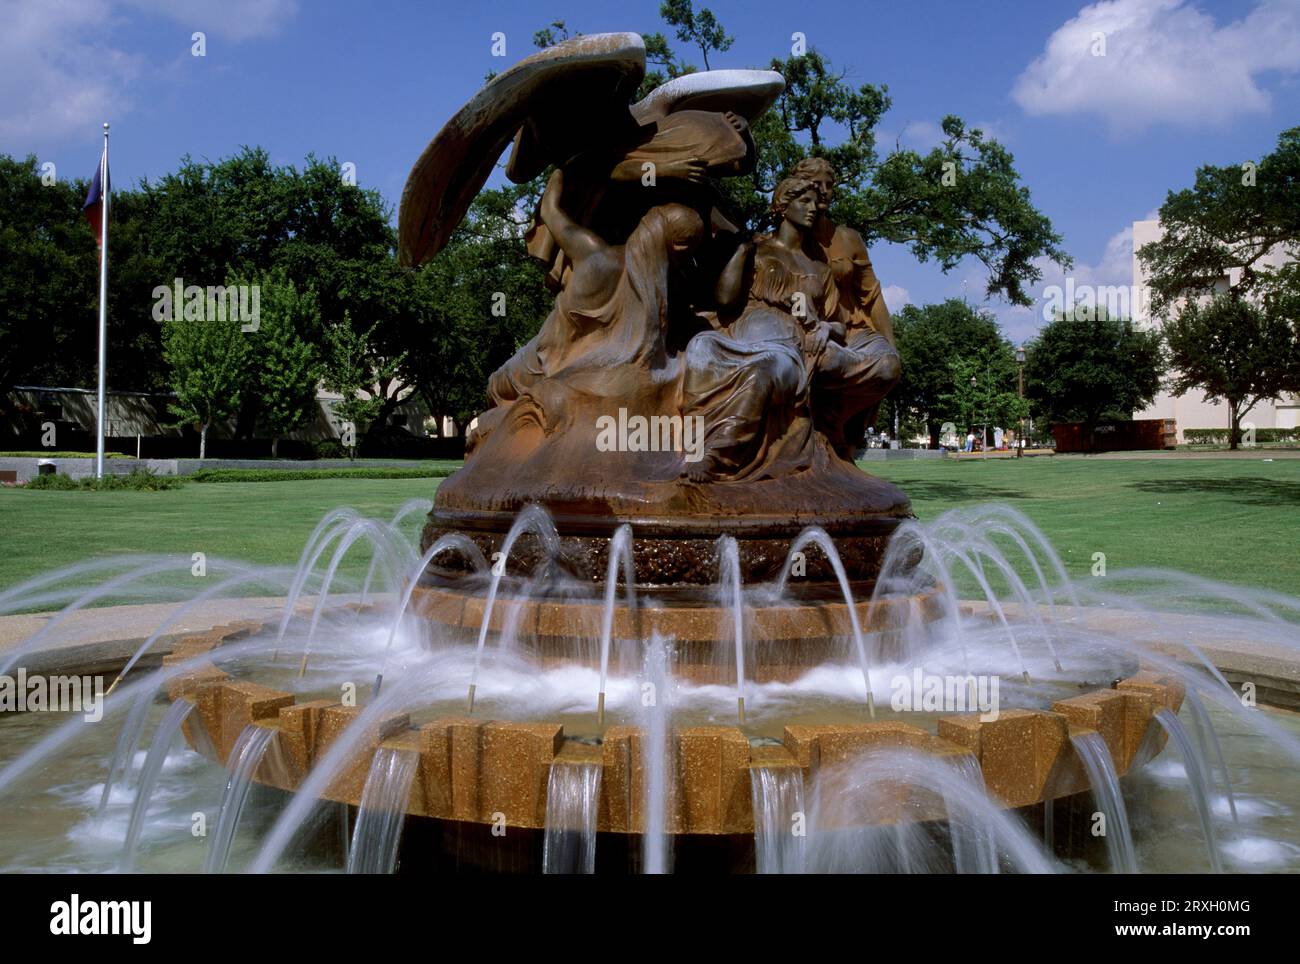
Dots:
pixel 209 358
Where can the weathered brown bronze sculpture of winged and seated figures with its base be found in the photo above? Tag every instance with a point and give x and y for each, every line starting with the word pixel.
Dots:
pixel 694 380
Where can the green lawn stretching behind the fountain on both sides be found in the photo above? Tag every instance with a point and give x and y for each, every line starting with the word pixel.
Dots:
pixel 1233 520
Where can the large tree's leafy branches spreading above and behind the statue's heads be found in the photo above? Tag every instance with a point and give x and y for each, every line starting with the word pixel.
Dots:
pixel 963 199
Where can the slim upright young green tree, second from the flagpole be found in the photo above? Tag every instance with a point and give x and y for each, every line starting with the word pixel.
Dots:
pixel 287 363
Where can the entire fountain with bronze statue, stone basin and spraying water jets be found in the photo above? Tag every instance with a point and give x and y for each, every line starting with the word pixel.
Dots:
pixel 661 622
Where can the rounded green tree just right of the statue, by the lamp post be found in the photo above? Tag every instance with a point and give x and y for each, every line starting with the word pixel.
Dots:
pixel 942 348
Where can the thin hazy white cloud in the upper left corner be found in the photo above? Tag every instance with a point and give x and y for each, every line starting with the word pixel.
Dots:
pixel 62 75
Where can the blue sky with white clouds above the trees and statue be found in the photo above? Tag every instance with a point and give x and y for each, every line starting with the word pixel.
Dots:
pixel 1099 141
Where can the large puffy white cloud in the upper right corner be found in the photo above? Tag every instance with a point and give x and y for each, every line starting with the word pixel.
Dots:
pixel 1165 62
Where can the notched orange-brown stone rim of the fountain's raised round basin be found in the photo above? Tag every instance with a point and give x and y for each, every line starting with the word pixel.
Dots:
pixel 492 771
